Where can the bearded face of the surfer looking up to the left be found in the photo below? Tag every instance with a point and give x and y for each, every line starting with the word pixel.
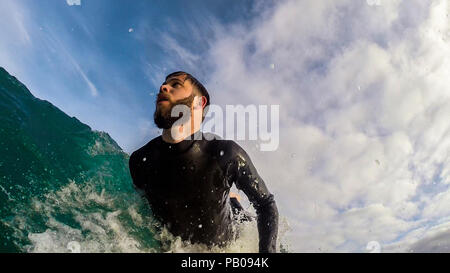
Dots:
pixel 176 90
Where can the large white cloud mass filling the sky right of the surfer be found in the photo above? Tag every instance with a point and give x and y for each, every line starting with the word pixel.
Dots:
pixel 364 115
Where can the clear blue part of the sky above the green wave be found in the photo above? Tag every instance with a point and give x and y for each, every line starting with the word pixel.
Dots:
pixel 102 61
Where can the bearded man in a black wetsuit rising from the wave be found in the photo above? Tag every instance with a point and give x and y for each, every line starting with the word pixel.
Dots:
pixel 186 175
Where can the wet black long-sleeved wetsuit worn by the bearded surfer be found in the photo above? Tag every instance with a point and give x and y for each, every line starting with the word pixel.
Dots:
pixel 187 185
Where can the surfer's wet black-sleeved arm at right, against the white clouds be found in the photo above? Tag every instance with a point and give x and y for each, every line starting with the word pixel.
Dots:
pixel 248 180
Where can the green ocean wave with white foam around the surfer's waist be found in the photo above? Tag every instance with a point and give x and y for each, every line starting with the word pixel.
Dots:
pixel 67 188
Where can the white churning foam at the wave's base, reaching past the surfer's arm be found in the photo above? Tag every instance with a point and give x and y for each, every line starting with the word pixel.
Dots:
pixel 101 223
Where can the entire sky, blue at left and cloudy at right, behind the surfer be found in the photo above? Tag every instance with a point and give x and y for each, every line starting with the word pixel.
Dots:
pixel 363 89
